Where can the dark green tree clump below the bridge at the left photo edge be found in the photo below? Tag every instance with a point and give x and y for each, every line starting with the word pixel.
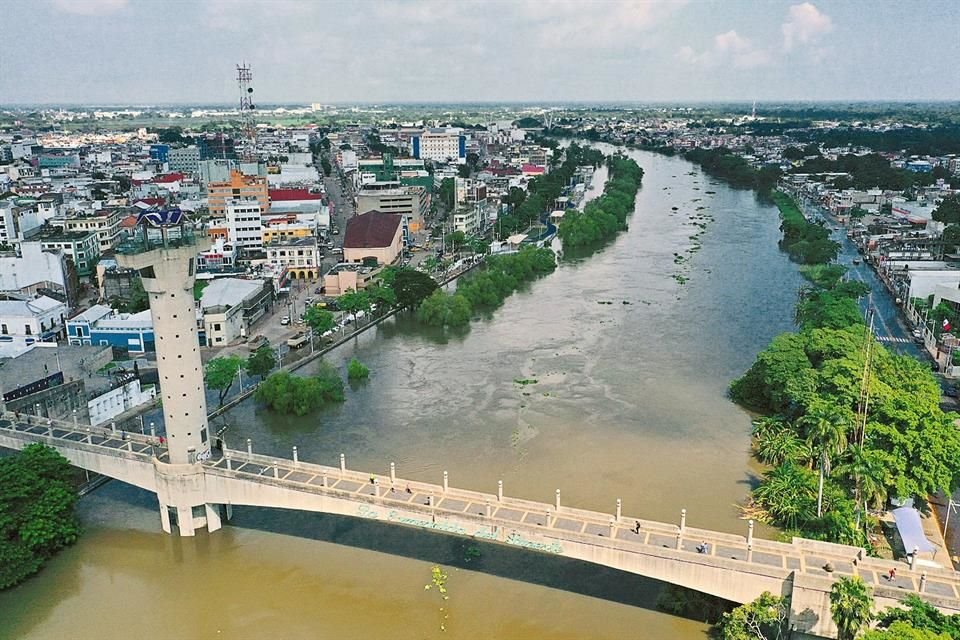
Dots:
pixel 36 511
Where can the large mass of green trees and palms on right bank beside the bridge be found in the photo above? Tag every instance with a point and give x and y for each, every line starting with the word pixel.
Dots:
pixel 830 463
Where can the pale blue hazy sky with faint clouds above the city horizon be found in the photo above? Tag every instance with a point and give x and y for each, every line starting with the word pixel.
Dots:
pixel 168 51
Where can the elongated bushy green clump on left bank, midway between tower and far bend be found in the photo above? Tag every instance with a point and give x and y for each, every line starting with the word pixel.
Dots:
pixel 486 288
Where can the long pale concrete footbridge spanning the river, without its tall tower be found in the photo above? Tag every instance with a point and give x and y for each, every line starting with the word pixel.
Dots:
pixel 734 567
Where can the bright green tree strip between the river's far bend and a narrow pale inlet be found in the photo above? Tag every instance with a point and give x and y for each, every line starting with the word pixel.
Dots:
pixel 604 217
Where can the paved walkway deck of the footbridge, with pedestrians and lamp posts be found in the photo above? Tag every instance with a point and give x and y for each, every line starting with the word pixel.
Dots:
pixel 802 556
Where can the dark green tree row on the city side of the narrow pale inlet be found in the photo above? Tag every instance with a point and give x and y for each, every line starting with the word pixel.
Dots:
pixel 542 191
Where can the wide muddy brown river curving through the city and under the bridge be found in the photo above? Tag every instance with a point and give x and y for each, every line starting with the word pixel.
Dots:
pixel 630 402
